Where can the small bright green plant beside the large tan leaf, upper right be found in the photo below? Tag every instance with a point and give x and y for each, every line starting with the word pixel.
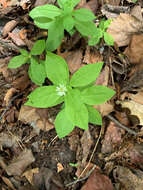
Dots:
pixel 103 26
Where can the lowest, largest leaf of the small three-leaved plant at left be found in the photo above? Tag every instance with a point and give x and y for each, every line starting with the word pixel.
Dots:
pixel 37 72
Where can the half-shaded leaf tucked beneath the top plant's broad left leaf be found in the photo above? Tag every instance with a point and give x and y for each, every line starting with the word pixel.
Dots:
pixel 43 22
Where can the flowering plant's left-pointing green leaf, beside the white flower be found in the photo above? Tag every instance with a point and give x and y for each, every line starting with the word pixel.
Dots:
pixel 44 97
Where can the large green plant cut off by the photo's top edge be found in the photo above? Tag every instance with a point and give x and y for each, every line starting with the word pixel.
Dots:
pixel 56 20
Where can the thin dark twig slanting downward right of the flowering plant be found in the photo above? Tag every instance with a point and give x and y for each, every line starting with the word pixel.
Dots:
pixel 121 125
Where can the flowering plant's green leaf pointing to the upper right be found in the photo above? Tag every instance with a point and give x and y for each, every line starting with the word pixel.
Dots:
pixel 86 75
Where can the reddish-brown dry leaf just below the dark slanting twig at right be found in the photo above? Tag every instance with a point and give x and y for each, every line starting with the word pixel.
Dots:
pixel 113 138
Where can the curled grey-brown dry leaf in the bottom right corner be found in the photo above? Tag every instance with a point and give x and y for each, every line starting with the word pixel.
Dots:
pixel 128 179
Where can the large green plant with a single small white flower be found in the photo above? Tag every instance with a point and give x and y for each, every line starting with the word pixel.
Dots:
pixel 78 93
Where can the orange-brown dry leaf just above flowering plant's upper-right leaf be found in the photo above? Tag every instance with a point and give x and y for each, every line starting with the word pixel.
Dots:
pixel 92 56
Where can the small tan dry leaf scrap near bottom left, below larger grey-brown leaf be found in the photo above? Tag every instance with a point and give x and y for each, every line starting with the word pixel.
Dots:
pixel 29 174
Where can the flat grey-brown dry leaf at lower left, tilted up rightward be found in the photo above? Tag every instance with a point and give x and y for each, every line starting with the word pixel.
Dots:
pixel 19 164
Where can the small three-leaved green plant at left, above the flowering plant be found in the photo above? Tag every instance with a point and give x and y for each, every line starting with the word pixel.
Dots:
pixel 37 68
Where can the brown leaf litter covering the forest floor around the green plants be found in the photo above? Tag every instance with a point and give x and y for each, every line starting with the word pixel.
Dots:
pixel 30 152
